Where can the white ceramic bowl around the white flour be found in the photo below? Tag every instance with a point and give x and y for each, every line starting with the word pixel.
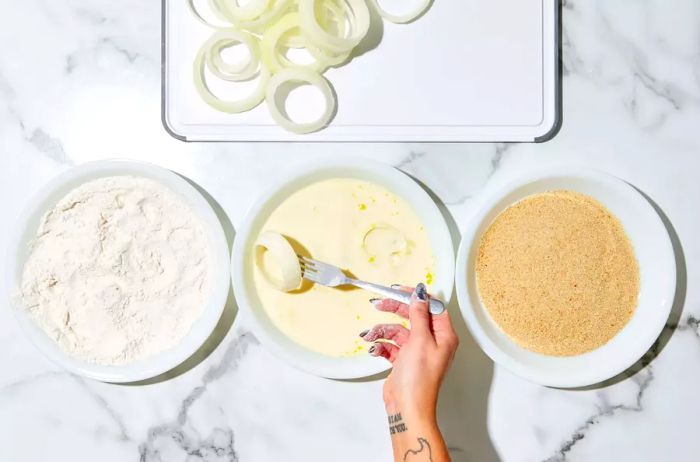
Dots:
pixel 26 228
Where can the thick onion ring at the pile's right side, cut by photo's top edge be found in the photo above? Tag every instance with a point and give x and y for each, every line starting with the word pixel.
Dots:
pixel 358 18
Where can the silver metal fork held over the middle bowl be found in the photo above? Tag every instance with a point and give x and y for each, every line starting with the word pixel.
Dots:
pixel 332 276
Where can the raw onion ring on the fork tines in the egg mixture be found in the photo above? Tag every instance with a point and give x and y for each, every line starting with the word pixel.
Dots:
pixel 285 258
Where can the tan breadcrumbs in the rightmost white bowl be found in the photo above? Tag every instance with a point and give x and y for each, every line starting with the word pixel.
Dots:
pixel 557 273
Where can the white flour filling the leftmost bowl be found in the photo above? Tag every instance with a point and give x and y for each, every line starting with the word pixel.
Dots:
pixel 119 270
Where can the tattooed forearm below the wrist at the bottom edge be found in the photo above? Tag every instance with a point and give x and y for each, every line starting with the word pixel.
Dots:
pixel 416 439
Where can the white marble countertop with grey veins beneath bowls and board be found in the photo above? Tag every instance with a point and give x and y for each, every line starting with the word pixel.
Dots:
pixel 80 80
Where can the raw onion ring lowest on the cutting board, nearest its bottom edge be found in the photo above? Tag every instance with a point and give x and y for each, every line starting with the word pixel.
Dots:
pixel 298 75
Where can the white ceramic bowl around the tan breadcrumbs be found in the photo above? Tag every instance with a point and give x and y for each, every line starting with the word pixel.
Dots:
pixel 654 252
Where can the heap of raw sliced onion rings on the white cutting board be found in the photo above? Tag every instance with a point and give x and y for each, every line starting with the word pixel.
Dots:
pixel 329 31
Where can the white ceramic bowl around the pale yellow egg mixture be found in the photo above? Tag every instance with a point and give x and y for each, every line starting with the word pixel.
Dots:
pixel 242 266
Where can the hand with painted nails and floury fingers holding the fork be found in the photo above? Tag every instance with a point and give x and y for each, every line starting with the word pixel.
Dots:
pixel 420 356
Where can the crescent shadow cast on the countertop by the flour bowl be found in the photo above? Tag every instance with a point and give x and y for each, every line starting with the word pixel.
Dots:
pixel 227 317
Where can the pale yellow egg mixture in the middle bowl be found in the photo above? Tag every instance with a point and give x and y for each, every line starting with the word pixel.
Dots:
pixel 364 229
